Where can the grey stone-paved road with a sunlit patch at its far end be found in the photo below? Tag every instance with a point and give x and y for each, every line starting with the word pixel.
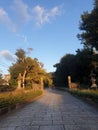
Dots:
pixel 55 110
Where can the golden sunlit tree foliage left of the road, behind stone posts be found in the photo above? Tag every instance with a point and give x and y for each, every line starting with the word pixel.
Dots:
pixel 31 70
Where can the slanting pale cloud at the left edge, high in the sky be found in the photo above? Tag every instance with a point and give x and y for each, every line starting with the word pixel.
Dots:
pixel 5 19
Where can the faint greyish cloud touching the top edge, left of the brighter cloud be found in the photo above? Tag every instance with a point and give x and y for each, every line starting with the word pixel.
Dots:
pixel 22 10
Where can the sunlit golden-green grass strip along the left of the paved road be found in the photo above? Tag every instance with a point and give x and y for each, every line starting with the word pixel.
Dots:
pixel 18 97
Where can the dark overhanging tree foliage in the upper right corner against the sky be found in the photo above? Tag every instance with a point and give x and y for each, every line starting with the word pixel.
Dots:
pixel 89 28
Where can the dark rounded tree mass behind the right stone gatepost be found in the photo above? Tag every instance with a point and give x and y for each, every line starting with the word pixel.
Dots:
pixel 78 66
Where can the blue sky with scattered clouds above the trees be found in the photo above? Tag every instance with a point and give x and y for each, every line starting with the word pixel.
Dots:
pixel 49 27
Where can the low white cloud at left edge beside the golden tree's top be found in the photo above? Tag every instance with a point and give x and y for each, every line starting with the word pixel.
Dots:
pixel 7 55
